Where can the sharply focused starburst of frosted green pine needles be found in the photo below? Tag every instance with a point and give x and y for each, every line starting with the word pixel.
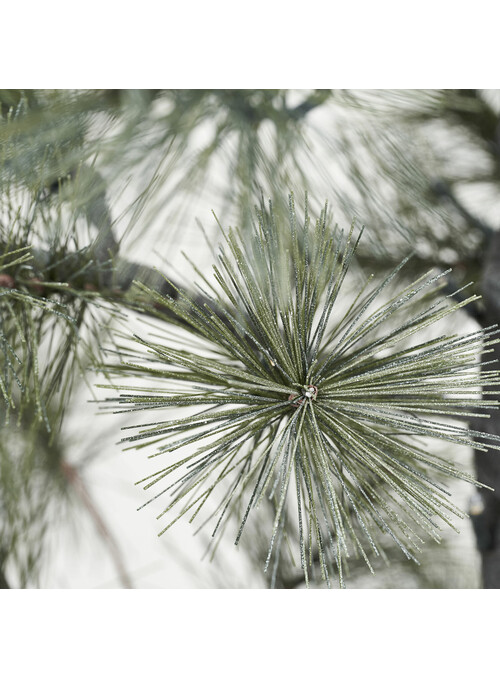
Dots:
pixel 318 408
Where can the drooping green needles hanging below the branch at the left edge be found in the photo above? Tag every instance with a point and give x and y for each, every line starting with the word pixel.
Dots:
pixel 32 482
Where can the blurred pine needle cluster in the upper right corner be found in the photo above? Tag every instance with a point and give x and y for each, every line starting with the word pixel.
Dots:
pixel 422 167
